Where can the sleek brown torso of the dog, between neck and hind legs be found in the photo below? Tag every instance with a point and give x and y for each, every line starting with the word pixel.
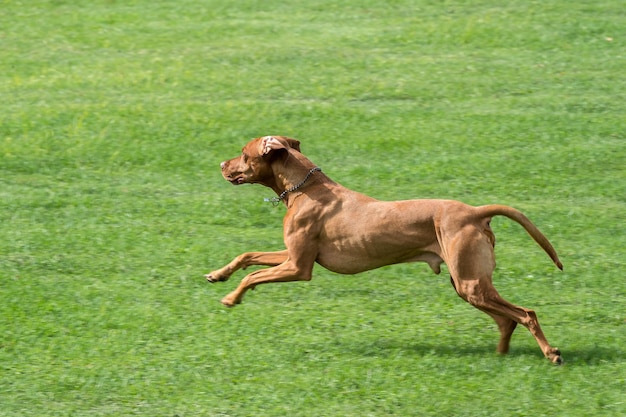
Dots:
pixel 356 233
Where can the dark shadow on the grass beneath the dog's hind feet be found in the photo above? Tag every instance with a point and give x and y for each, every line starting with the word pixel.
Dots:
pixel 593 355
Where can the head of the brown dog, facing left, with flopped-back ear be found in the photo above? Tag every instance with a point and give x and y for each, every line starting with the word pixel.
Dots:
pixel 254 165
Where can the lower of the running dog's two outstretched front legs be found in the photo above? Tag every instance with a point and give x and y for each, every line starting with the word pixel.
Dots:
pixel 285 272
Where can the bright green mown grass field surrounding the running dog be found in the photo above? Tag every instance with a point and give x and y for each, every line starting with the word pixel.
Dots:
pixel 114 117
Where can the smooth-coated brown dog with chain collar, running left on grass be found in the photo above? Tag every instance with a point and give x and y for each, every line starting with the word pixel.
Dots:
pixel 348 232
